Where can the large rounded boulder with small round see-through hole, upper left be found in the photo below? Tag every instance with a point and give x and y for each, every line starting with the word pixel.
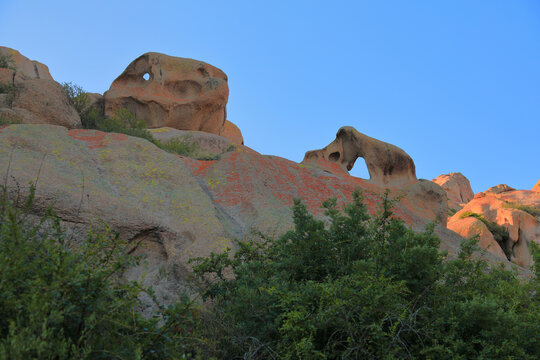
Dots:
pixel 180 93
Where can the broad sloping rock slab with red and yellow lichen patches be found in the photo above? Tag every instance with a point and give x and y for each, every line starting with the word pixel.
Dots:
pixel 173 208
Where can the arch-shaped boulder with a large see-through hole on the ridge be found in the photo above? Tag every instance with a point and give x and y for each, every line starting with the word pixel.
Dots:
pixel 387 164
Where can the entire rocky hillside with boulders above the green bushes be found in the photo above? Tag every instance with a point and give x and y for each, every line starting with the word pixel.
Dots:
pixel 174 207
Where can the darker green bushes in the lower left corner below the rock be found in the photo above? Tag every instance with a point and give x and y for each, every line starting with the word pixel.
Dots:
pixel 61 301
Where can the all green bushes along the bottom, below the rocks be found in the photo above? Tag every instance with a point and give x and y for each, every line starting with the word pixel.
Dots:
pixel 352 287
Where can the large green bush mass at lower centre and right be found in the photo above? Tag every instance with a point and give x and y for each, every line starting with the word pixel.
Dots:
pixel 364 287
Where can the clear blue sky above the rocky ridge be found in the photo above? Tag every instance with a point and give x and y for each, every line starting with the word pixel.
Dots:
pixel 456 84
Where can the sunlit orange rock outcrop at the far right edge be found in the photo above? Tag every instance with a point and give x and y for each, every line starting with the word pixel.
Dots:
pixel 516 210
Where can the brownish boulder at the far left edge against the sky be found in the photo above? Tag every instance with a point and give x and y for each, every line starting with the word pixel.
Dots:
pixel 34 97
